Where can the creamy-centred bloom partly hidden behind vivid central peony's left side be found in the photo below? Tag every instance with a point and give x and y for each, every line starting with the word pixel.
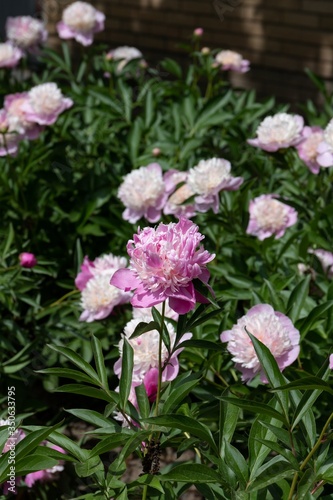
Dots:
pixel 98 297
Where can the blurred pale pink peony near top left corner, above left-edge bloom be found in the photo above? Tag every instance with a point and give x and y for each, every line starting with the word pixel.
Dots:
pixel 26 32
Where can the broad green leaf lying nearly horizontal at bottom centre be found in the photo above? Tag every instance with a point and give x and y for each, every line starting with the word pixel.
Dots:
pixel 192 474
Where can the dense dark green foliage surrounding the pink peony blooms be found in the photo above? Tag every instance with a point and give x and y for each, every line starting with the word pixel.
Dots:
pixel 59 195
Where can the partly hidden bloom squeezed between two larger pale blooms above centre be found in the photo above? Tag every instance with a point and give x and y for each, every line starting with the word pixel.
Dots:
pixel 180 193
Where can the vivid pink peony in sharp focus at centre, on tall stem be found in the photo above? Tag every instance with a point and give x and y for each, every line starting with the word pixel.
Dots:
pixel 164 262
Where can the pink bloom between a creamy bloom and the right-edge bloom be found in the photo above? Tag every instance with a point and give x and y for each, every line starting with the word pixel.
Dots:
pixel 307 148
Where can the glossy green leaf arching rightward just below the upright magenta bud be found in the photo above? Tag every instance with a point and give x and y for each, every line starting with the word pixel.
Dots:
pixel 186 424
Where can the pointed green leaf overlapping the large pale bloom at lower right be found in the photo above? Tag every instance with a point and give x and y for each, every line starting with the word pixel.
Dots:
pixel 272 371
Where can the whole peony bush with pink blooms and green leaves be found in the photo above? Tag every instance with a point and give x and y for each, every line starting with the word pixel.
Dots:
pixel 166 271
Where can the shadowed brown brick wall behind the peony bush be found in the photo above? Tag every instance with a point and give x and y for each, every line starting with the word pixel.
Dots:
pixel 280 38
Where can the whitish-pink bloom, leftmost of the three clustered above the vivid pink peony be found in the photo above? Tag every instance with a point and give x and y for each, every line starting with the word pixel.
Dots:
pixel 143 193
